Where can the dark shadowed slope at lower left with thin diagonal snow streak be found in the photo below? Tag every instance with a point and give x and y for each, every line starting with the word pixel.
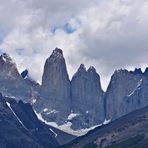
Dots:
pixel 20 127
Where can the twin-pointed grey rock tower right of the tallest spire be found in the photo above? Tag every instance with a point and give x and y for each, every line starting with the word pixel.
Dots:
pixel 87 98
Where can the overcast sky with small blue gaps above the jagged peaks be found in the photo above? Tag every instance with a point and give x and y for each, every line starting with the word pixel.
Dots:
pixel 107 34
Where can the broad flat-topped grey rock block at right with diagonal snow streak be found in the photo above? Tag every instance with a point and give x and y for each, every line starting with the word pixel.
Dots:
pixel 126 92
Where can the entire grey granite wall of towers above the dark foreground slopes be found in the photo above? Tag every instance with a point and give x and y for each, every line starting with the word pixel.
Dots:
pixel 81 102
